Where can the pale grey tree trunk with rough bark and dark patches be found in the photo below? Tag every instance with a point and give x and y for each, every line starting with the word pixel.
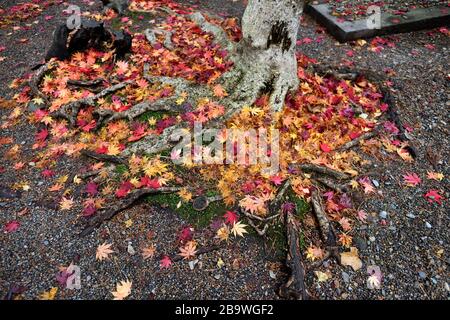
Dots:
pixel 266 60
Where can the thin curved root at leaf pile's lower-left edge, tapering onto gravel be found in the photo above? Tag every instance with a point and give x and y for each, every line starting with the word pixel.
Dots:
pixel 134 196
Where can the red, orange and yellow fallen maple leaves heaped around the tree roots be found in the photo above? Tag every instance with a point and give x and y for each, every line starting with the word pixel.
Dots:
pixel 321 125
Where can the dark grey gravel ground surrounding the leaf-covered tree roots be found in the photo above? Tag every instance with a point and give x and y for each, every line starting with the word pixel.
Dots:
pixel 405 236
